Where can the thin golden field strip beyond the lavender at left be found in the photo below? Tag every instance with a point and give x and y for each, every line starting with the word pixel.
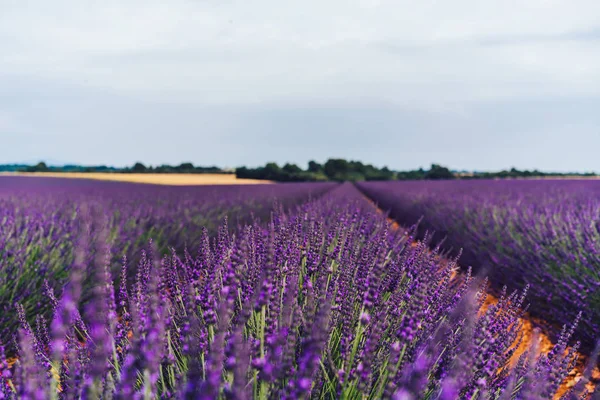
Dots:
pixel 157 179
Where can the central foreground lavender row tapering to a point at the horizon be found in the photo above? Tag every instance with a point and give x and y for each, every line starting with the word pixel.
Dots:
pixel 323 302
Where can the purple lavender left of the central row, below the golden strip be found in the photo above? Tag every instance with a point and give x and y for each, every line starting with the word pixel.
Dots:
pixel 40 217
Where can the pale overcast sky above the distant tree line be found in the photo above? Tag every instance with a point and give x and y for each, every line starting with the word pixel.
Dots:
pixel 470 84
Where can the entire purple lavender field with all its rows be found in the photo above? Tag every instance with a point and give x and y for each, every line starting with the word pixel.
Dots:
pixel 295 291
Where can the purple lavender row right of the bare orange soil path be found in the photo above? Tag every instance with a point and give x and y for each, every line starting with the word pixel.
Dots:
pixel 540 233
